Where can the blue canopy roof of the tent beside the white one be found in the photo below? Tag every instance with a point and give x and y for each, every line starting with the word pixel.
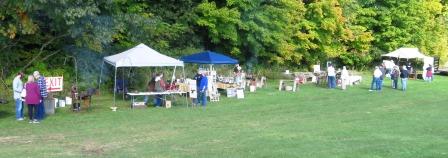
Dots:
pixel 208 57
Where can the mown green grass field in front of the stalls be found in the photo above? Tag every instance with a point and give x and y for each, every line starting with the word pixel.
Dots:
pixel 314 122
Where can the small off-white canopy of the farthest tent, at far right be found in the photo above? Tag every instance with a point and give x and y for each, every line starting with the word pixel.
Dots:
pixel 412 53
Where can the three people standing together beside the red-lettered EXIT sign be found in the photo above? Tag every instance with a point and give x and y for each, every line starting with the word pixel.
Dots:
pixel 33 93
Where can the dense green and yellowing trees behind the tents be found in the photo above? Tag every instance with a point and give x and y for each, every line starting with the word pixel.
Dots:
pixel 44 33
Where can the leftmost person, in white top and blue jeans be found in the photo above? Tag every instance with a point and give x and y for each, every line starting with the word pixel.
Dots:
pixel 17 86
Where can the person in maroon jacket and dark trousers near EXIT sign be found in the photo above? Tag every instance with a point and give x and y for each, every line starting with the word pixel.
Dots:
pixel 32 99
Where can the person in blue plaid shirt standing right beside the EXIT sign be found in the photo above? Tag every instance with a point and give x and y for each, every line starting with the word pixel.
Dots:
pixel 43 94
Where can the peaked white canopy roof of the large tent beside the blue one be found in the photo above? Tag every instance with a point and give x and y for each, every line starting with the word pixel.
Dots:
pixel 141 56
